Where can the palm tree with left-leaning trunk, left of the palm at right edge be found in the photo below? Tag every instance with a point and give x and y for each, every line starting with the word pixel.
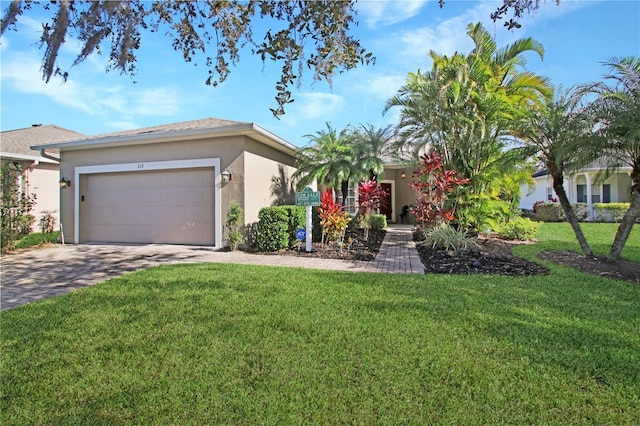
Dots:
pixel 555 130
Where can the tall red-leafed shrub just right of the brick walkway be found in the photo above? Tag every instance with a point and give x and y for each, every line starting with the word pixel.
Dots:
pixel 433 184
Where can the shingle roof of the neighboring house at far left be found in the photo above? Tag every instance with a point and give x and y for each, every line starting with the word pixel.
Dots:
pixel 19 141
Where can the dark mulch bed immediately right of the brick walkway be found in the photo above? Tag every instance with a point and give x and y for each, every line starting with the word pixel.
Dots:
pixel 492 256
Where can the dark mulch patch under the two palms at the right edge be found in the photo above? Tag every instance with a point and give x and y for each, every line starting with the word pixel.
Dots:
pixel 622 269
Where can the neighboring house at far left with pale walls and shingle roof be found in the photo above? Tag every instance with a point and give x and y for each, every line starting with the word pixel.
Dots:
pixel 40 175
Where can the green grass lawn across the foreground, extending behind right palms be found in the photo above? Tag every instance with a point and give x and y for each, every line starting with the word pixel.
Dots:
pixel 232 344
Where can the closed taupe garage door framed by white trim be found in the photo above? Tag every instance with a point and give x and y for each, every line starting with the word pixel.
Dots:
pixel 167 206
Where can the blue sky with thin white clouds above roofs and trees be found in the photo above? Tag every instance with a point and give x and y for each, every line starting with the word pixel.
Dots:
pixel 577 36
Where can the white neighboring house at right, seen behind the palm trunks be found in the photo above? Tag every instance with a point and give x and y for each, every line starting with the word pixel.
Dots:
pixel 581 187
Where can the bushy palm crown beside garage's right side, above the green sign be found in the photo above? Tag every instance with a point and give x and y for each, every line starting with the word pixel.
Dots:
pixel 327 159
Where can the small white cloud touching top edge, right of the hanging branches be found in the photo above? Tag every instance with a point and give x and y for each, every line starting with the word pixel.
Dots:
pixel 388 12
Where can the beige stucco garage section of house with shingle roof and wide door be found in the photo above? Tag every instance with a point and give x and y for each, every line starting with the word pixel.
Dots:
pixel 166 184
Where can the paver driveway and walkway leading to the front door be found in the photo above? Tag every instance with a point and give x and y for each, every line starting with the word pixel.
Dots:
pixel 37 274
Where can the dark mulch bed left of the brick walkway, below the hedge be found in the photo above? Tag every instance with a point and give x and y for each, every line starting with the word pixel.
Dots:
pixel 354 248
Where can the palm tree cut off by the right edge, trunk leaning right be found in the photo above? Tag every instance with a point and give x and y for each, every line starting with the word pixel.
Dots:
pixel 618 112
